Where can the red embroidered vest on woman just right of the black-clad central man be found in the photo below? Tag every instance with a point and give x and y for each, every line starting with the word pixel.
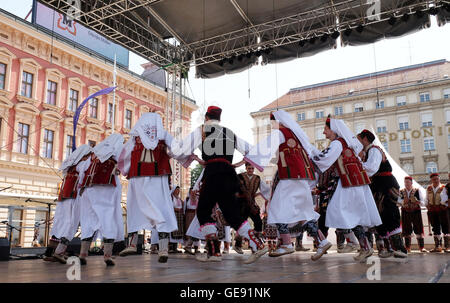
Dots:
pixel 293 162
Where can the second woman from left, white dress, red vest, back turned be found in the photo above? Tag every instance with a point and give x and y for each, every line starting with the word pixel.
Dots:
pixel 100 197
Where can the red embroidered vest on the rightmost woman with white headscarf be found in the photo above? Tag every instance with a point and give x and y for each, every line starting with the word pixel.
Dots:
pixel 350 168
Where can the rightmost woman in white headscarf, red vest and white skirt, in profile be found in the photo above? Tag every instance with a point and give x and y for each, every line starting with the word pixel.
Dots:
pixel 352 205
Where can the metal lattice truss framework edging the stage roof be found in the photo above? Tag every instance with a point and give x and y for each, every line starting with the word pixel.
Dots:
pixel 116 19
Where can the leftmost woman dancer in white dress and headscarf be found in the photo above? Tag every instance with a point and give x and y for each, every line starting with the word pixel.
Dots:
pixel 67 213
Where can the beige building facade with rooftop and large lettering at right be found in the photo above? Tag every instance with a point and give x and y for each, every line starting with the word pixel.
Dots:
pixel 408 108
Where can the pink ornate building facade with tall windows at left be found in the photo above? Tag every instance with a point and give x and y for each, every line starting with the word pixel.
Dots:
pixel 42 81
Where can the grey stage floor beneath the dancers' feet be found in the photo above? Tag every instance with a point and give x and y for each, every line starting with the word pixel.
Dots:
pixel 182 268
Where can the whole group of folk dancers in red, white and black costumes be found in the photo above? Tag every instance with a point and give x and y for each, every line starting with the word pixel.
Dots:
pixel 351 182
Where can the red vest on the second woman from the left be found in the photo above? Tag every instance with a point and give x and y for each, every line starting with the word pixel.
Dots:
pixel 100 173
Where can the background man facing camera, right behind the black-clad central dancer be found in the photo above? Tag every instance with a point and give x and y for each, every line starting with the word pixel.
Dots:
pixel 250 185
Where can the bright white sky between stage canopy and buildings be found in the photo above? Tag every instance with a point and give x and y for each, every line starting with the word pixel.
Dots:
pixel 266 83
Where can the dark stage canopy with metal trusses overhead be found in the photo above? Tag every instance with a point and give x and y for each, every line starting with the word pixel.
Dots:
pixel 225 36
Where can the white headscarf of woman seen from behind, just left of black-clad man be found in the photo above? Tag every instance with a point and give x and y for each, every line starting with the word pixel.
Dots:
pixel 150 129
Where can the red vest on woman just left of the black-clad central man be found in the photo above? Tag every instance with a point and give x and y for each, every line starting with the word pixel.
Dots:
pixel 146 162
